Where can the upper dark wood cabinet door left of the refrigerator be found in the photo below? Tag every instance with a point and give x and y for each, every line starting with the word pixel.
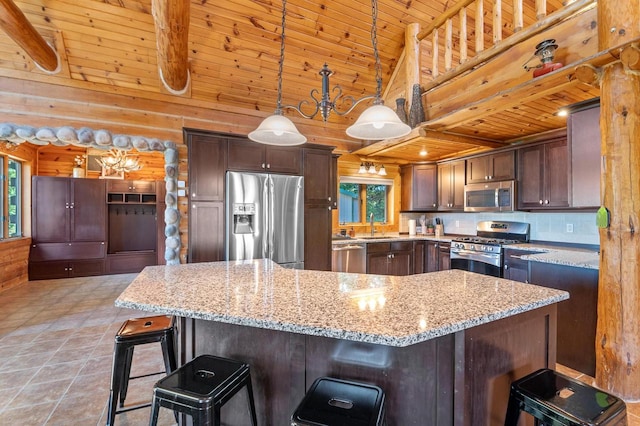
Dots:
pixel 207 166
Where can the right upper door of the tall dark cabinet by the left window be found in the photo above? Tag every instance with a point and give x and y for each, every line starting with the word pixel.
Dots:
pixel 89 210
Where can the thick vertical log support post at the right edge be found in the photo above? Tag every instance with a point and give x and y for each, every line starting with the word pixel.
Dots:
pixel 618 329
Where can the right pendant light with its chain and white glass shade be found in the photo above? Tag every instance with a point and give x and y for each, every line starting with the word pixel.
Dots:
pixel 378 121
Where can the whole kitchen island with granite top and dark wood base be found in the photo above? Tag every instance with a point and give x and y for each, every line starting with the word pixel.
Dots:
pixel 444 346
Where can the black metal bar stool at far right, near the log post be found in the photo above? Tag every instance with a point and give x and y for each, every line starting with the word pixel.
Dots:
pixel 557 400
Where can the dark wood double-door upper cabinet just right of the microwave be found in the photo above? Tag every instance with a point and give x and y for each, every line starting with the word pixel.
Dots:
pixel 543 176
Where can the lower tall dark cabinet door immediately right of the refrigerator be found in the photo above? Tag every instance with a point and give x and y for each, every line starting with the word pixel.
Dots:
pixel 317 238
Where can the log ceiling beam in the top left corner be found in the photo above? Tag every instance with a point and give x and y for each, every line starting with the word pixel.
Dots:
pixel 18 27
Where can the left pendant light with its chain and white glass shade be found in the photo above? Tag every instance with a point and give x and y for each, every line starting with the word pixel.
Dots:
pixel 278 129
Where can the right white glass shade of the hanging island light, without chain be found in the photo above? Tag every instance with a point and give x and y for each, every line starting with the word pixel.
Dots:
pixel 378 122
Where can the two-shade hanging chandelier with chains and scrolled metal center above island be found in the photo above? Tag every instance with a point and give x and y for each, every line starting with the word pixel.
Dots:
pixel 375 123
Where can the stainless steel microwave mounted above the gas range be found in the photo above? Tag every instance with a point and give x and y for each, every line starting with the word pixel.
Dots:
pixel 490 197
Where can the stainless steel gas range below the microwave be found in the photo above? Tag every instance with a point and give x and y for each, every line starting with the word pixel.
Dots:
pixel 483 253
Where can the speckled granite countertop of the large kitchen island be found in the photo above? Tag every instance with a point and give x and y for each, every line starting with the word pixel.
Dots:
pixel 393 311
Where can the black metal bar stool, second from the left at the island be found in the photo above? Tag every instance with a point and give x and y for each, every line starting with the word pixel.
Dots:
pixel 201 387
